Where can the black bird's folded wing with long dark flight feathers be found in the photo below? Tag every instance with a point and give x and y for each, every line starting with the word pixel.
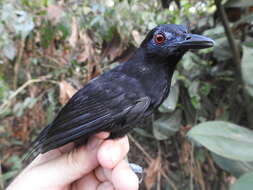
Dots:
pixel 90 110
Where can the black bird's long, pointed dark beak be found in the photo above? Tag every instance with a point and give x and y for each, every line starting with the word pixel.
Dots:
pixel 194 41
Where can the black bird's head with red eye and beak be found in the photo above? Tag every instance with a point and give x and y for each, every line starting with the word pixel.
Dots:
pixel 168 40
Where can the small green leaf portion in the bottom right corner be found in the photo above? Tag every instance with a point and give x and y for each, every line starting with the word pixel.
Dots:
pixel 244 183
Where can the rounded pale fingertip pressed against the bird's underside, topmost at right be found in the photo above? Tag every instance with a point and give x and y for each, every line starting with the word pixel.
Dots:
pixel 112 151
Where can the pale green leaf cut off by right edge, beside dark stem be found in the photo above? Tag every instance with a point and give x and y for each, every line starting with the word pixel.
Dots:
pixel 247 68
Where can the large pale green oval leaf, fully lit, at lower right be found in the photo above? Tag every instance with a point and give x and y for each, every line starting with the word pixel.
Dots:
pixel 225 139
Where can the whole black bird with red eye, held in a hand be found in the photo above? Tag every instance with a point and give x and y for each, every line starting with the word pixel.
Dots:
pixel 124 97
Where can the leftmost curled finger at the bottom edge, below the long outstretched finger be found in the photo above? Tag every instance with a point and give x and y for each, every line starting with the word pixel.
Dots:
pixel 87 182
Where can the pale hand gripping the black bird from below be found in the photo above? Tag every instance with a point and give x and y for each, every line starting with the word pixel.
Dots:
pixel 99 165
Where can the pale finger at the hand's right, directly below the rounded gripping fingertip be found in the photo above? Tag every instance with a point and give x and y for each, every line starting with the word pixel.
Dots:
pixel 124 178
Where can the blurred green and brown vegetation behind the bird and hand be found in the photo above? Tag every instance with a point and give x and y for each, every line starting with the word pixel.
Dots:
pixel 49 49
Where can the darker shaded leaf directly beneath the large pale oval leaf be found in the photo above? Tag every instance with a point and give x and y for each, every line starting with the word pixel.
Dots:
pixel 235 167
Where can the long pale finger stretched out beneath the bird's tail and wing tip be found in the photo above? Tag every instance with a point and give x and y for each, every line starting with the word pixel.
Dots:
pixel 67 168
